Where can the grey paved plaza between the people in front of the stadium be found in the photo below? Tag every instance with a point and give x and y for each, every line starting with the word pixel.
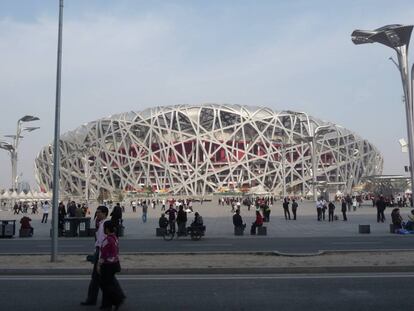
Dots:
pixel 218 220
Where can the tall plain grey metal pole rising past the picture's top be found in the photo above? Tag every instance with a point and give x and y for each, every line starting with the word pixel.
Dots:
pixel 56 156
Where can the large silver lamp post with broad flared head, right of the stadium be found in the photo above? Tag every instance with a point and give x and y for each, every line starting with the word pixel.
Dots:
pixel 396 37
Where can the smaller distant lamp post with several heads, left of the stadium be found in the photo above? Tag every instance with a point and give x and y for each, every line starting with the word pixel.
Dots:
pixel 13 147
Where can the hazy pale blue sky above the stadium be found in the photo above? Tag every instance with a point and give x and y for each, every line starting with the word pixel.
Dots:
pixel 124 55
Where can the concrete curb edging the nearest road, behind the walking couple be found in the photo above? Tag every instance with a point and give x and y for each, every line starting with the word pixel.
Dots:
pixel 208 271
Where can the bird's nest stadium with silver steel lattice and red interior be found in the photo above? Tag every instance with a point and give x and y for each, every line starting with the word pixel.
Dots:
pixel 209 148
